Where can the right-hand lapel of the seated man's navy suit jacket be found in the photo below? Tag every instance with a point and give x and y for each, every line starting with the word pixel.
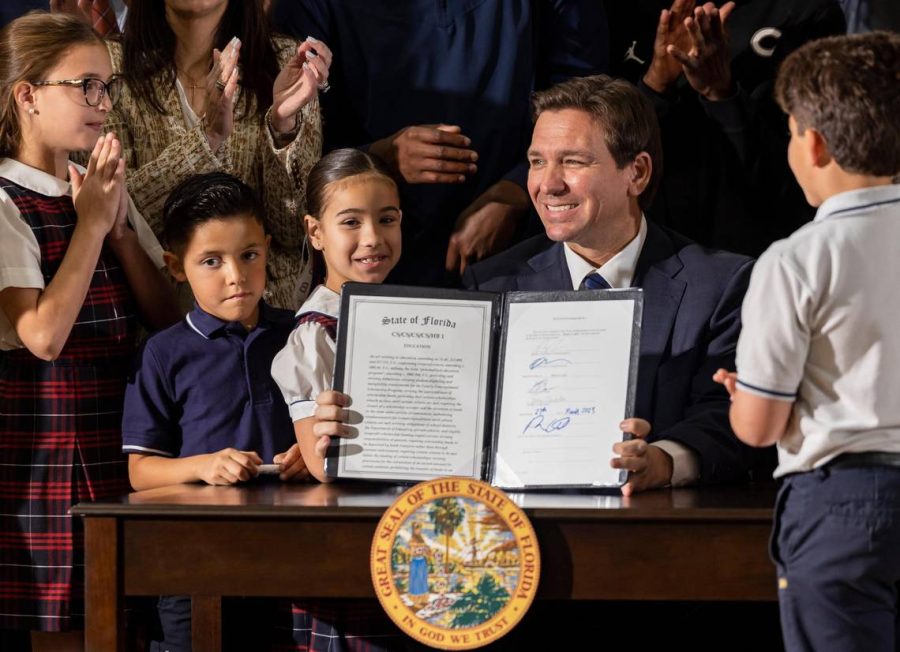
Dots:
pixel 657 266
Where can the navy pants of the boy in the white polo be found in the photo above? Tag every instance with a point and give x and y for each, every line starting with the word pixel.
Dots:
pixel 836 543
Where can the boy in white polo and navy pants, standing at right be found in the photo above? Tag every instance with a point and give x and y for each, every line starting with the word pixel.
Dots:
pixel 819 353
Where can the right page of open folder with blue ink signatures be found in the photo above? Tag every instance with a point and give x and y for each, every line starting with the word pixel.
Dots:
pixel 567 379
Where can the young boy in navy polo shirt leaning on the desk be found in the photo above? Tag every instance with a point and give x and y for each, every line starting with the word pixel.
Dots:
pixel 202 405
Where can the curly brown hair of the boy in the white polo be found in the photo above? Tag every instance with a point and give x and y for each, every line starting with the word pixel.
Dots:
pixel 848 89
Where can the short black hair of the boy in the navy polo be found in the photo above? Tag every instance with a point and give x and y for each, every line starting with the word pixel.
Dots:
pixel 203 198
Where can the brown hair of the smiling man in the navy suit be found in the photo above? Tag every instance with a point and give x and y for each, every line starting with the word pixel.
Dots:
pixel 627 118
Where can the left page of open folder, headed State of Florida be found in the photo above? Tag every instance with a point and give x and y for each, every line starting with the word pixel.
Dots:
pixel 417 366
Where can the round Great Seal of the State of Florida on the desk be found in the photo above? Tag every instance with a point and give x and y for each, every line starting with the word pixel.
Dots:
pixel 455 563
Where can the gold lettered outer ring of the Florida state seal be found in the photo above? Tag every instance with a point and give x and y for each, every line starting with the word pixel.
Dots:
pixel 382 577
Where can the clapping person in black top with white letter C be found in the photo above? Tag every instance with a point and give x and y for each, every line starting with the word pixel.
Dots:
pixel 726 182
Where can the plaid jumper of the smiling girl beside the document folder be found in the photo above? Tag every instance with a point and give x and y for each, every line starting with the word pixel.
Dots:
pixel 340 625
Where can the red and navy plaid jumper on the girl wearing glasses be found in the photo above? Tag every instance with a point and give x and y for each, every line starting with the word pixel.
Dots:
pixel 60 432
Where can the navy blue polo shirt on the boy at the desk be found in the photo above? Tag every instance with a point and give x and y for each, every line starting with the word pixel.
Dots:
pixel 205 384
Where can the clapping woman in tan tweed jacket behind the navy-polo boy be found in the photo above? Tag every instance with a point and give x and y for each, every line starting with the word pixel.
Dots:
pixel 208 87
